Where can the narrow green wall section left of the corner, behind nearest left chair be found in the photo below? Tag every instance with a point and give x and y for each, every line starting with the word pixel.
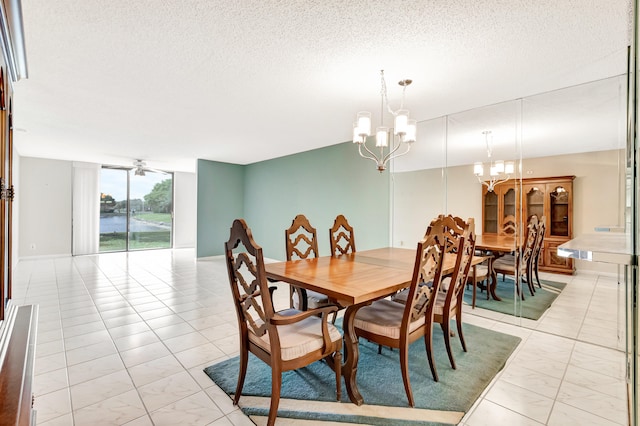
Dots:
pixel 220 201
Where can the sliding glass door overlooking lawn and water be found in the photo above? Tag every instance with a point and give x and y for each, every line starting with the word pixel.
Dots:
pixel 136 209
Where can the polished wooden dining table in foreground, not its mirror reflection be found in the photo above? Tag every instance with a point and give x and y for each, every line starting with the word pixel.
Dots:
pixel 352 281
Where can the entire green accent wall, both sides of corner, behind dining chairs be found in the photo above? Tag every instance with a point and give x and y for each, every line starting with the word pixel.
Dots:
pixel 320 184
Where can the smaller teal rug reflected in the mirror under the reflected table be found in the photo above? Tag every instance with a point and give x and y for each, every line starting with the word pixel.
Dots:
pixel 532 307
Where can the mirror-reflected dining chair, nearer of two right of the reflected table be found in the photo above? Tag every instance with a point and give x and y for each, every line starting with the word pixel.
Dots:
pixel 520 265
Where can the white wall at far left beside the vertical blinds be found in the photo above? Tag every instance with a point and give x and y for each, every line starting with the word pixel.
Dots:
pixel 43 195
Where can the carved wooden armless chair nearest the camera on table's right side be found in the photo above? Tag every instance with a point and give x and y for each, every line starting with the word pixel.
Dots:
pixel 398 325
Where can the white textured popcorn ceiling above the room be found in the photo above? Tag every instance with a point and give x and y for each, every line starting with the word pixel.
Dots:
pixel 243 81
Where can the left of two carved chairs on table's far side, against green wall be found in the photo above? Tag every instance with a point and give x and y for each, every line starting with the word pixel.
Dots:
pixel 301 243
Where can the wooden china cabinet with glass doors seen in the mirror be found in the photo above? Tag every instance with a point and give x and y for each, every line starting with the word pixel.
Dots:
pixel 551 197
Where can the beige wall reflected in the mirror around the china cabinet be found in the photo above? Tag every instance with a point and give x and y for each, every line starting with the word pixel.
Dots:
pixel 598 195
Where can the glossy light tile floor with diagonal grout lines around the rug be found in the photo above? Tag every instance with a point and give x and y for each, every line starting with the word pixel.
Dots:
pixel 123 339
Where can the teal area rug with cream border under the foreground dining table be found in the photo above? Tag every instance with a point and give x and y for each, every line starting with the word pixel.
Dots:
pixel 380 382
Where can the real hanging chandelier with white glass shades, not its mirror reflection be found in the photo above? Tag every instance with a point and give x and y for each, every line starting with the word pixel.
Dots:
pixel 404 130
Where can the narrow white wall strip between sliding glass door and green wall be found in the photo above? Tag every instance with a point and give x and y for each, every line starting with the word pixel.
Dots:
pixel 184 207
